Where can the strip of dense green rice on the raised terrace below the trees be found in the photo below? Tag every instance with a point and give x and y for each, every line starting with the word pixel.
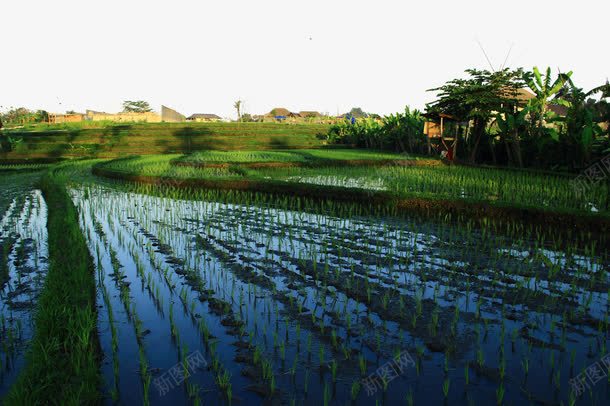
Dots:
pixel 493 186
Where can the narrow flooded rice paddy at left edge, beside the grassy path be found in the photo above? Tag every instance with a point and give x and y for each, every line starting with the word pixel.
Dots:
pixel 23 266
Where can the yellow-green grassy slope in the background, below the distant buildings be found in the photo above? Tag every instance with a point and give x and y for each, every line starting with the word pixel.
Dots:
pixel 115 140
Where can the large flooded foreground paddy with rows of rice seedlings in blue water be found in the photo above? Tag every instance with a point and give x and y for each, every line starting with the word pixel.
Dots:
pixel 214 303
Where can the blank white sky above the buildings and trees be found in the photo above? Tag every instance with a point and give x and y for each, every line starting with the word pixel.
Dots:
pixel 201 56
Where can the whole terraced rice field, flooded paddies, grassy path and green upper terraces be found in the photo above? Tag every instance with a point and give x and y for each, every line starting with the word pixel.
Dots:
pixel 169 292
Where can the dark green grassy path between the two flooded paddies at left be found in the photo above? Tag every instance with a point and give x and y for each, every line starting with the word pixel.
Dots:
pixel 63 361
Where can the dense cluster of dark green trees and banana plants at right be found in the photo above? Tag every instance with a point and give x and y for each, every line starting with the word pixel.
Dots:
pixel 507 117
